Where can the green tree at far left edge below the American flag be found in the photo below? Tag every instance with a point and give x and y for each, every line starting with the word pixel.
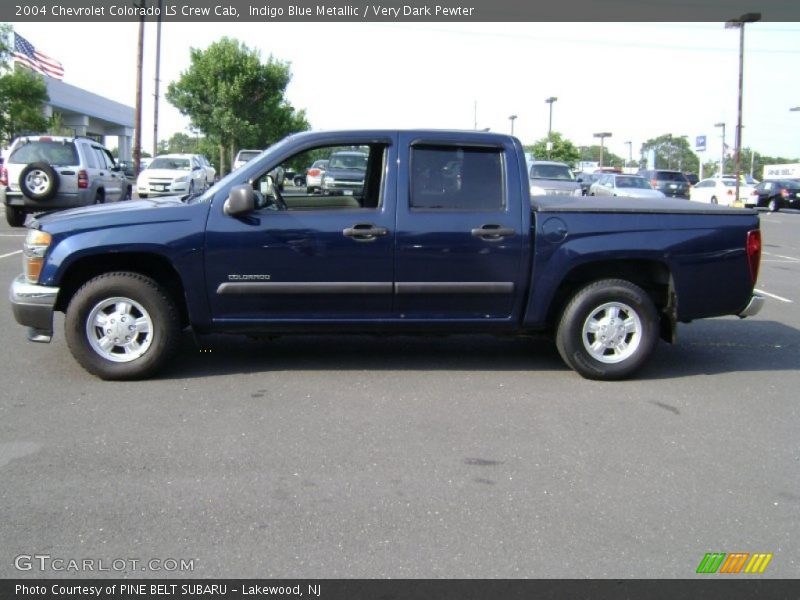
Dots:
pixel 22 96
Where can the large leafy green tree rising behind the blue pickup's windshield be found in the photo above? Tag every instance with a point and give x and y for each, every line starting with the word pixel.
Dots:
pixel 235 99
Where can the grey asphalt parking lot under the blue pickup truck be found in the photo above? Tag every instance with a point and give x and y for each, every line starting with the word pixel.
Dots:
pixel 326 457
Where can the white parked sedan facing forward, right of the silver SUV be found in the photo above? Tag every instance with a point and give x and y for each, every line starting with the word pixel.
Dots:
pixel 171 174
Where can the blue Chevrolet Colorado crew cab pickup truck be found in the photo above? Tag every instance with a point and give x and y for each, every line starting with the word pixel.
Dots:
pixel 442 238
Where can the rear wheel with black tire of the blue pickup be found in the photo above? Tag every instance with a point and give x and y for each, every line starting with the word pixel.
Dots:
pixel 636 327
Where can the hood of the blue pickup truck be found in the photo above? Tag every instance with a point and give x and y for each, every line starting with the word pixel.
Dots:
pixel 131 212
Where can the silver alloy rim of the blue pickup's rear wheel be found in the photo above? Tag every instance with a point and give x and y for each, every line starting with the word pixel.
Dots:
pixel 612 332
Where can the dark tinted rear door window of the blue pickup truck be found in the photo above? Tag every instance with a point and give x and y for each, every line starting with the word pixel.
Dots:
pixel 456 178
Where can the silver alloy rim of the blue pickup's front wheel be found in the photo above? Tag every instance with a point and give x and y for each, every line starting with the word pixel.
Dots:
pixel 119 329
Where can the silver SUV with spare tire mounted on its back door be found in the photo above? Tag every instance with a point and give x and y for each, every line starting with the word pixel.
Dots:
pixel 44 173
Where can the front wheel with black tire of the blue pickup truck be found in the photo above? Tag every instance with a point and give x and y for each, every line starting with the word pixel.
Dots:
pixel 147 300
